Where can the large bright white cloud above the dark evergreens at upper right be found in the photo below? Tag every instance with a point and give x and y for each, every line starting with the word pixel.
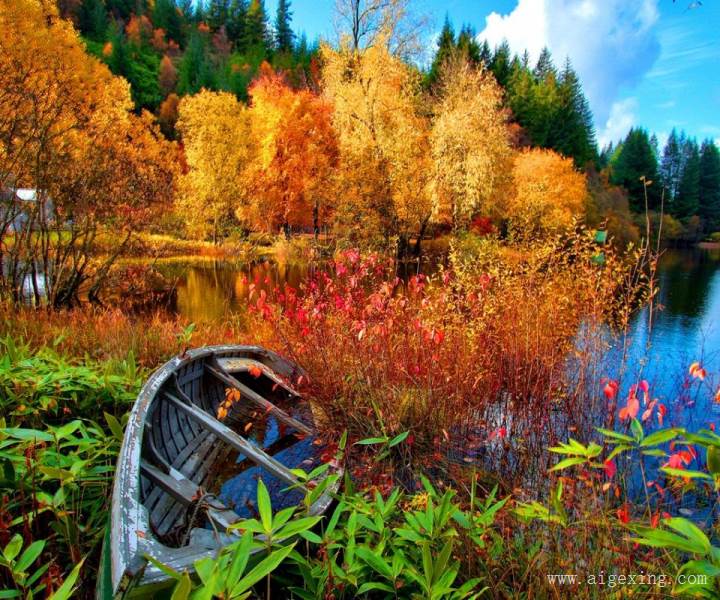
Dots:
pixel 611 43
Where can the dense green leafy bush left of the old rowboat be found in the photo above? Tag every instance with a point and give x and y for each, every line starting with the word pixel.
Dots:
pixel 59 440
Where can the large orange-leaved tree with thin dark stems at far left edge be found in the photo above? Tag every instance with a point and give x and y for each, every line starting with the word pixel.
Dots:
pixel 67 131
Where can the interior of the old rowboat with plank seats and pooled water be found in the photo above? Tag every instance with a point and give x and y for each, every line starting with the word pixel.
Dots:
pixel 190 457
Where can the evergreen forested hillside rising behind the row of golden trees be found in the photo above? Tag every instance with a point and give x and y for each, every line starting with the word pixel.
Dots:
pixel 168 49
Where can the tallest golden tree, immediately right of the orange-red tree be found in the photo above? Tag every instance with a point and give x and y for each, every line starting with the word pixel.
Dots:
pixel 383 135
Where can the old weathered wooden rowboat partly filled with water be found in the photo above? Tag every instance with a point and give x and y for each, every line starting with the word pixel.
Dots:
pixel 177 452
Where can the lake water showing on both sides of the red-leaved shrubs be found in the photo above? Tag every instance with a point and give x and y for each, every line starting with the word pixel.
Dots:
pixel 684 330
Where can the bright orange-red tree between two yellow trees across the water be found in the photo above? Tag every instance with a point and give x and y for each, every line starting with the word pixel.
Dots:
pixel 296 155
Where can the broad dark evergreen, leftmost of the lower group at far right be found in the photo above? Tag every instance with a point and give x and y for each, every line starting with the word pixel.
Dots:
pixel 632 160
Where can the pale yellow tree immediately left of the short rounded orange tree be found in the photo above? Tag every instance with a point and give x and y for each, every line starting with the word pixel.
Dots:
pixel 470 146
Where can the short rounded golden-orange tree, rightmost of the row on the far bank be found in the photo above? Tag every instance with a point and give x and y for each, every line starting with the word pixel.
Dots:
pixel 548 193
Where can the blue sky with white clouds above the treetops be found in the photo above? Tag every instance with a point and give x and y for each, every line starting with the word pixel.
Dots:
pixel 654 63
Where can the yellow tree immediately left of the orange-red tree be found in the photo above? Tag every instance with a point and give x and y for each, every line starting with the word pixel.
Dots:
pixel 218 143
